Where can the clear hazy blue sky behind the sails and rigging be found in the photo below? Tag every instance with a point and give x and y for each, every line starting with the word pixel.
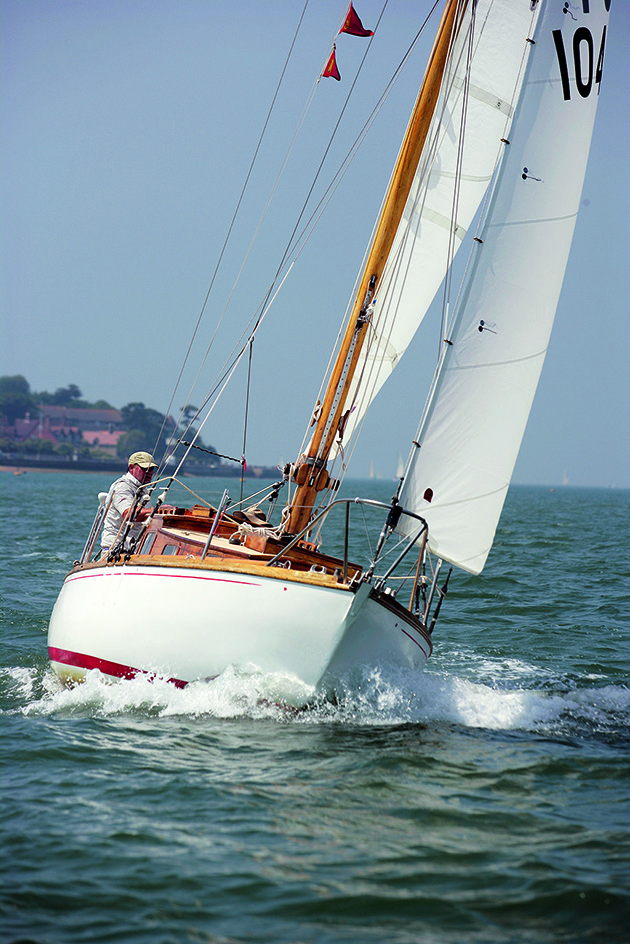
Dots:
pixel 128 130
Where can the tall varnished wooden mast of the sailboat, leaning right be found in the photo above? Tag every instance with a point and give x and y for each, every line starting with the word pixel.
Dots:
pixel 311 473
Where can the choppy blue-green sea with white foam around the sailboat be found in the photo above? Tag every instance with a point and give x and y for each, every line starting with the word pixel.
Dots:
pixel 484 800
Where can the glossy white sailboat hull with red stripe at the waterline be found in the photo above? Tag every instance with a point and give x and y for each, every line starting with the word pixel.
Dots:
pixel 185 623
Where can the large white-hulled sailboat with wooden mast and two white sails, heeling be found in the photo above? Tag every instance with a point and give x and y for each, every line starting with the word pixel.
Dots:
pixel 496 145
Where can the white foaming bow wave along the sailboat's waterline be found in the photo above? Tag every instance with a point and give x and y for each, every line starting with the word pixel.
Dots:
pixel 384 696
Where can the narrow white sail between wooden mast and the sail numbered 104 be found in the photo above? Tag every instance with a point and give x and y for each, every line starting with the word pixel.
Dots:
pixel 419 258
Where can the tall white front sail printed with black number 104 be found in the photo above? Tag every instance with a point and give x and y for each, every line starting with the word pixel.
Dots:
pixel 475 418
